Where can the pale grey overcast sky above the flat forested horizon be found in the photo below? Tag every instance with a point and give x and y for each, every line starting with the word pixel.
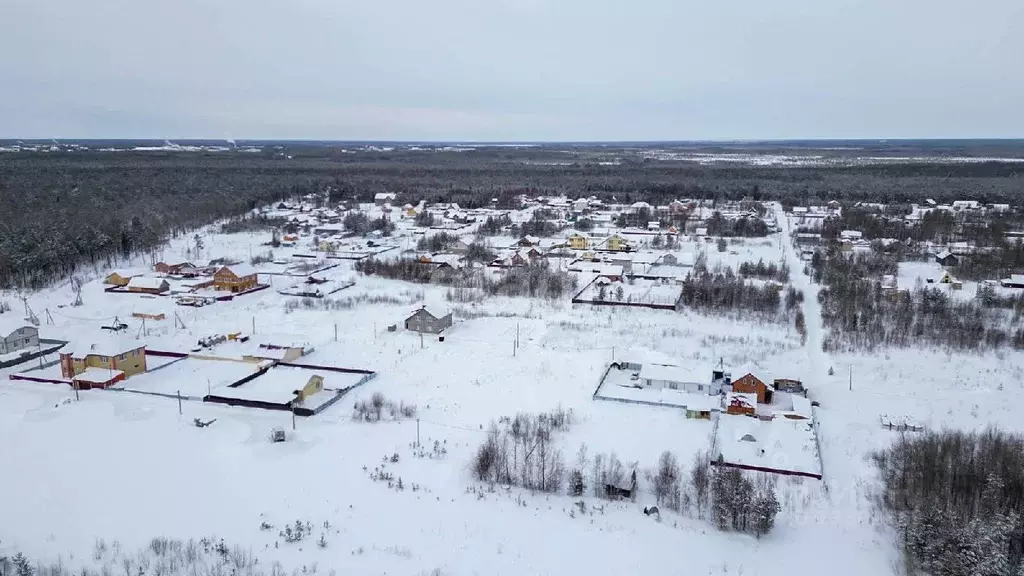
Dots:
pixel 513 70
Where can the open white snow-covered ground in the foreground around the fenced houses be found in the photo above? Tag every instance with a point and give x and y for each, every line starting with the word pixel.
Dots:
pixel 130 468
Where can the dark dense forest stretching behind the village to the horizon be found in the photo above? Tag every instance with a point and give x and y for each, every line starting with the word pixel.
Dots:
pixel 64 210
